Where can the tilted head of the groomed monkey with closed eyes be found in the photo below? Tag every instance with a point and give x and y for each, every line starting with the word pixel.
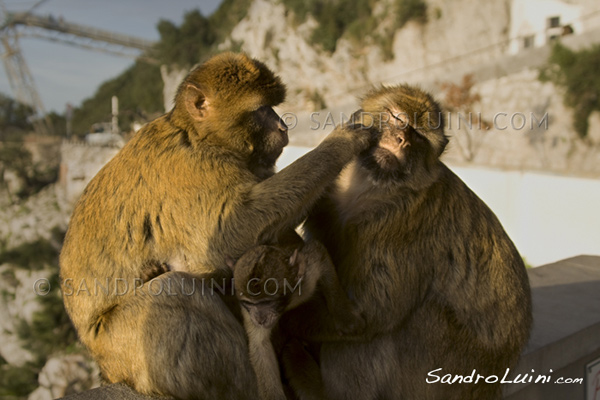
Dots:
pixel 411 134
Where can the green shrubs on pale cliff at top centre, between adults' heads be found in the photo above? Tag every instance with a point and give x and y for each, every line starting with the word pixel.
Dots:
pixel 355 19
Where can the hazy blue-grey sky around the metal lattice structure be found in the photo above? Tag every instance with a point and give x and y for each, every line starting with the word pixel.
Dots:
pixel 66 74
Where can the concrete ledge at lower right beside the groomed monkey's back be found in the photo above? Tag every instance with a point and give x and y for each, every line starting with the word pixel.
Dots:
pixel 566 333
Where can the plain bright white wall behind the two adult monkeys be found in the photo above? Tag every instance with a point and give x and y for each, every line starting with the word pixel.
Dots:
pixel 549 217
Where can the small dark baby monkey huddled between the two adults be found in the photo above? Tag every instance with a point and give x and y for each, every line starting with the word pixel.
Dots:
pixel 270 280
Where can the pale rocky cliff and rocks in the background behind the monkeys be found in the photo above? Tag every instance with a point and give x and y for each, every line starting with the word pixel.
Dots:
pixel 455 39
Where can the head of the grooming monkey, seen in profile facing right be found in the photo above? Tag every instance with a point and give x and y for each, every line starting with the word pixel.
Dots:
pixel 228 101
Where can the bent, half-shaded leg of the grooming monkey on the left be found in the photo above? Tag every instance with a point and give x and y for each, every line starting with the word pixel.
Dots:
pixel 175 336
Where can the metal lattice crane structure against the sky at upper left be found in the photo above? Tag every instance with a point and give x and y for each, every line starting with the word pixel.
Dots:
pixel 15 25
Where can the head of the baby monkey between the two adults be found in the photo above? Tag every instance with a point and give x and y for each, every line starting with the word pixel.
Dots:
pixel 263 278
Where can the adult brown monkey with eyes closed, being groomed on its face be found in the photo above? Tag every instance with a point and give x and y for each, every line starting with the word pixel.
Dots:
pixel 441 286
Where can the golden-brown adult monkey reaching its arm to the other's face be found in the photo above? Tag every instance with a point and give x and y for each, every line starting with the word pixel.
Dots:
pixel 152 229
